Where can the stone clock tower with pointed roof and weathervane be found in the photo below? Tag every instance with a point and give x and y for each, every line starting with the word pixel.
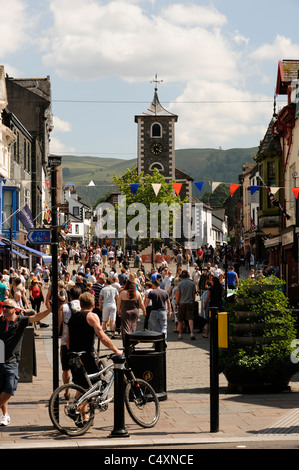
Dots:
pixel 156 139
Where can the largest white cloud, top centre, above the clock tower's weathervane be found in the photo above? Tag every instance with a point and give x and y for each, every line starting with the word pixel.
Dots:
pixel 90 41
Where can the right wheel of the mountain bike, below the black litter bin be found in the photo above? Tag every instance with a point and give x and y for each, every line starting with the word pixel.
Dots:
pixel 142 403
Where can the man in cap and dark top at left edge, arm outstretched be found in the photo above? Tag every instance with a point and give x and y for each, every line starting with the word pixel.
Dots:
pixel 12 328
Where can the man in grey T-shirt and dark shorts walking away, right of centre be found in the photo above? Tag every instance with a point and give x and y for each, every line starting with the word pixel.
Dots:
pixel 184 302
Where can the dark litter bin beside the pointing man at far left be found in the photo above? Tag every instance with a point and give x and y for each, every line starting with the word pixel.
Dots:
pixel 27 364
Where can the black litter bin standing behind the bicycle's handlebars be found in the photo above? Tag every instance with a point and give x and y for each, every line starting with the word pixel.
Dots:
pixel 149 364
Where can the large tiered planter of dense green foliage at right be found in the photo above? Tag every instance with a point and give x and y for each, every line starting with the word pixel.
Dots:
pixel 253 332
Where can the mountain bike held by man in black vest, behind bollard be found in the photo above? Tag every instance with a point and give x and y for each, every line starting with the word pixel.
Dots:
pixel 72 408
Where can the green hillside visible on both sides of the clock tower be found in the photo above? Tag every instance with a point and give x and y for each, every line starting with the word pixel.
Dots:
pixel 205 165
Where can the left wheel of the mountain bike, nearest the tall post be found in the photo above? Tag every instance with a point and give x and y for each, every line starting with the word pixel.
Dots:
pixel 65 415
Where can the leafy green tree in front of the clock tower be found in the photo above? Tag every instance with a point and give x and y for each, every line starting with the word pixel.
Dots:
pixel 146 196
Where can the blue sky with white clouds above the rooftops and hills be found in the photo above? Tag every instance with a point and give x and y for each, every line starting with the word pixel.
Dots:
pixel 216 62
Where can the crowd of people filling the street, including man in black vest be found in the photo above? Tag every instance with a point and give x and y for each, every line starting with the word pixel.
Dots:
pixel 101 291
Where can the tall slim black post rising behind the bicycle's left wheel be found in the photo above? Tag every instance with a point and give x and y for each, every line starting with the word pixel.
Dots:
pixel 54 162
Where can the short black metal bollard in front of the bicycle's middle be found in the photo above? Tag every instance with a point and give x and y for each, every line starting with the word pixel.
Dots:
pixel 119 429
